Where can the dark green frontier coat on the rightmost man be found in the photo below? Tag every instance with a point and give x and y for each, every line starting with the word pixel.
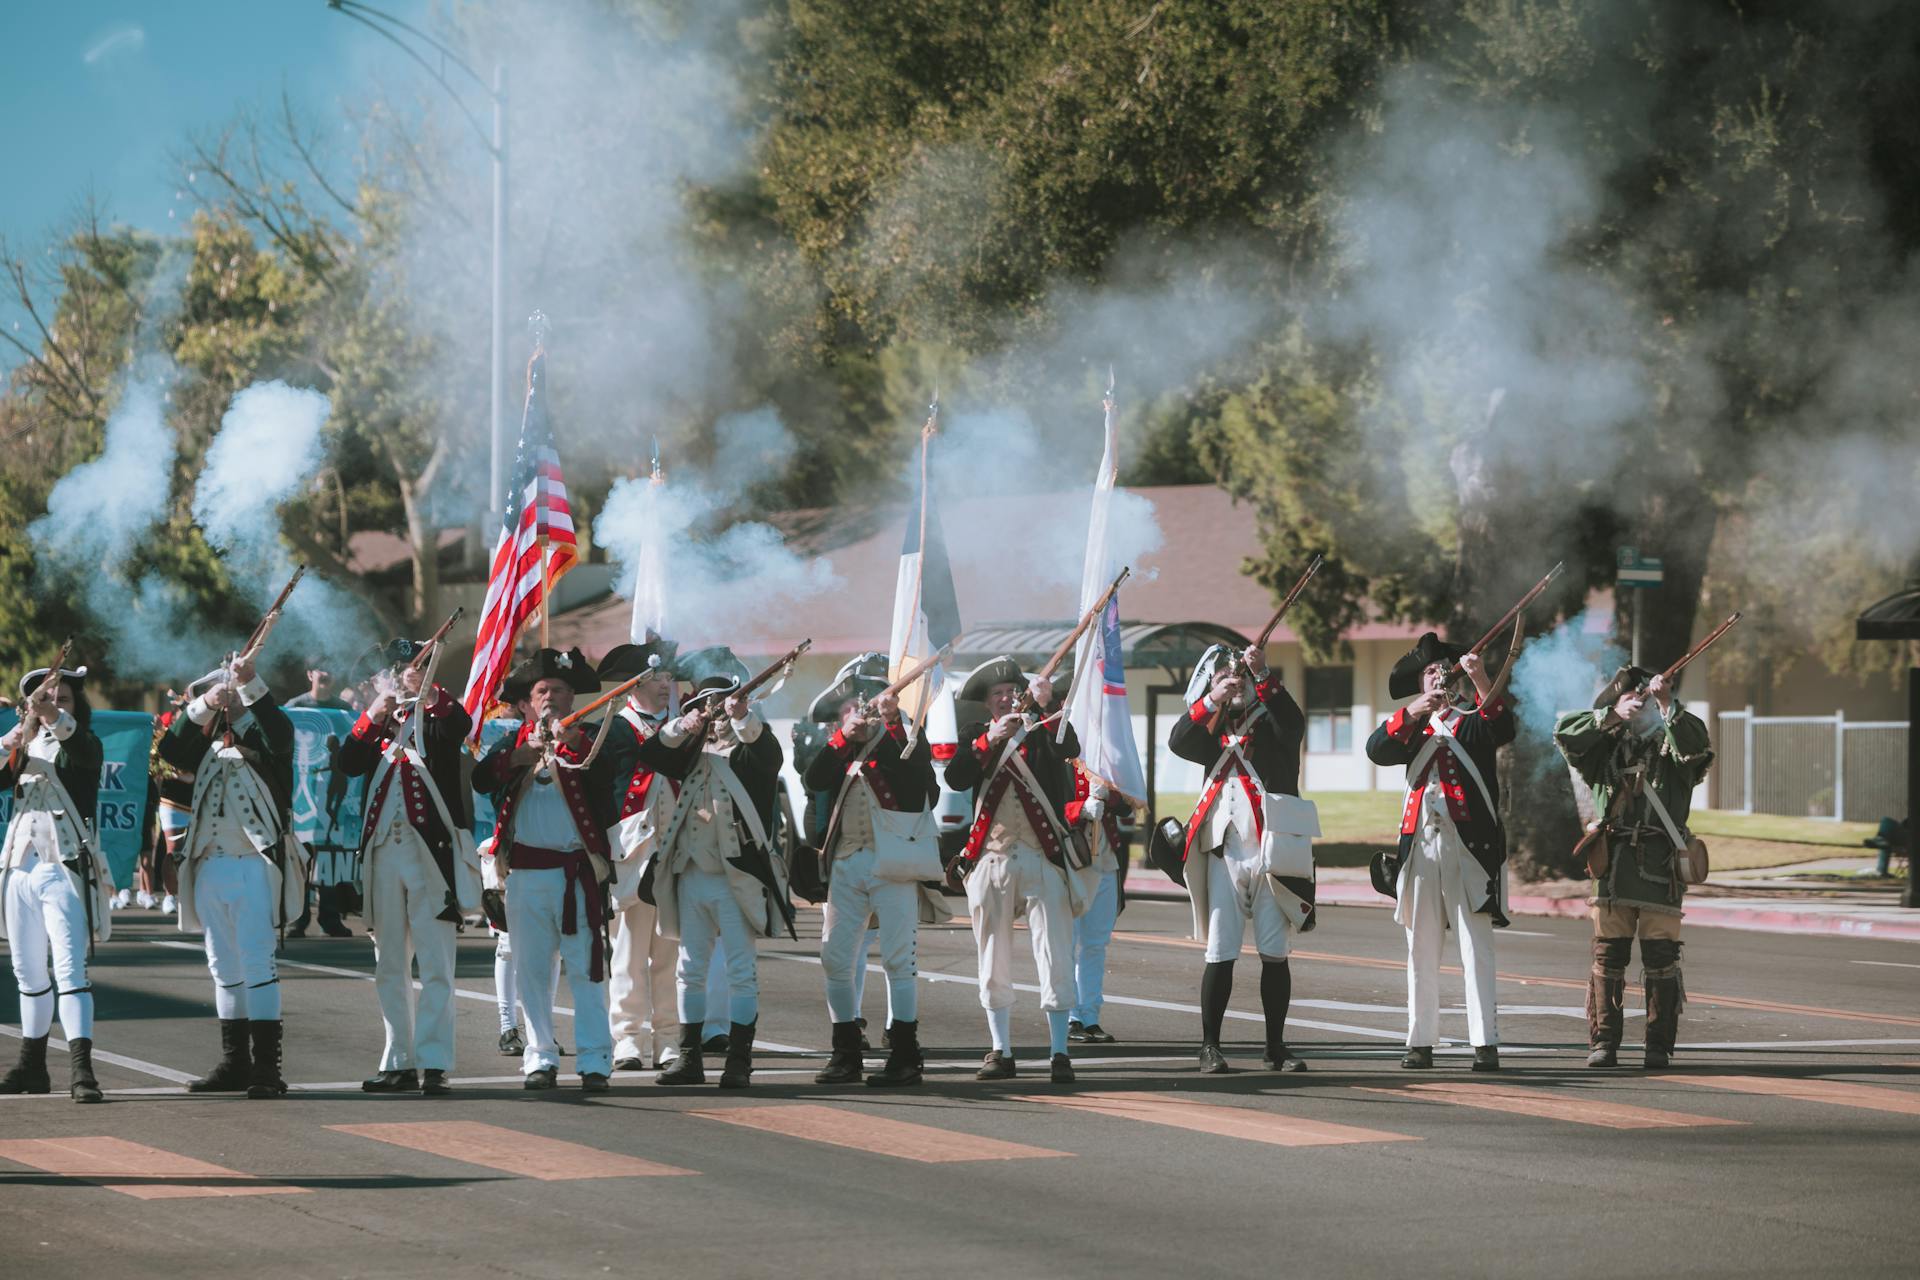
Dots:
pixel 1641 868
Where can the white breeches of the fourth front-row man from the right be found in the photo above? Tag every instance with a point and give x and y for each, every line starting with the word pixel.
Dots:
pixel 996 891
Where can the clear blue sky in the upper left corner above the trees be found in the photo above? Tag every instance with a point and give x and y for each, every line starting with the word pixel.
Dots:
pixel 105 93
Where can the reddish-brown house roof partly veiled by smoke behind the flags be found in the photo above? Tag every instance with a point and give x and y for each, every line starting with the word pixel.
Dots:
pixel 1193 577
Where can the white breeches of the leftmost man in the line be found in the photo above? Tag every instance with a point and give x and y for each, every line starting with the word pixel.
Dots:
pixel 45 916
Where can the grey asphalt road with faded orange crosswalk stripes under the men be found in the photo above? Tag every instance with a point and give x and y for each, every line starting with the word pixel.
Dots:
pixel 1783 1143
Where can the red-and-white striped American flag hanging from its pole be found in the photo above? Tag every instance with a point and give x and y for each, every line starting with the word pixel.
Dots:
pixel 539 521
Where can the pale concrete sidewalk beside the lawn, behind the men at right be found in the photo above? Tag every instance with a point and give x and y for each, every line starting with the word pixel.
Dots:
pixel 1856 914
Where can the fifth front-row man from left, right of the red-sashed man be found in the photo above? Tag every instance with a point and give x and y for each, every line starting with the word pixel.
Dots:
pixel 717 874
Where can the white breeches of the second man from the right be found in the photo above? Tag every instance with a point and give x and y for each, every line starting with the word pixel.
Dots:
pixel 1433 891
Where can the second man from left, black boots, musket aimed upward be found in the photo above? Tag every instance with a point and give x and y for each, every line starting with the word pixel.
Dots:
pixel 243 876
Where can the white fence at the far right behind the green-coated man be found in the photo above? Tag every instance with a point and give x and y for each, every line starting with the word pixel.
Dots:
pixel 1810 767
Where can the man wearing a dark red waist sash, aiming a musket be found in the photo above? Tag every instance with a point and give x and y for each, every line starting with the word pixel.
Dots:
pixel 554 803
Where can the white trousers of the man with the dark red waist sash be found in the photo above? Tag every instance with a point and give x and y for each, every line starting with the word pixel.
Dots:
pixel 535 905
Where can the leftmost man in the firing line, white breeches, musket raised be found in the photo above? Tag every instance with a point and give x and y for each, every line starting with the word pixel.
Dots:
pixel 55 886
